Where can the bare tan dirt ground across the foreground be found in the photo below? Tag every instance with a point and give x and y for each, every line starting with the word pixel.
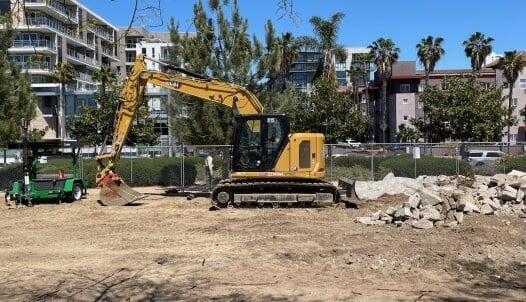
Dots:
pixel 174 249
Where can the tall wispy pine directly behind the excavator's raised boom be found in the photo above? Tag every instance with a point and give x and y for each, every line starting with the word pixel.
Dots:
pixel 221 48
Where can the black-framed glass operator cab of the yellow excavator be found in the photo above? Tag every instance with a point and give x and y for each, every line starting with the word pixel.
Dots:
pixel 258 142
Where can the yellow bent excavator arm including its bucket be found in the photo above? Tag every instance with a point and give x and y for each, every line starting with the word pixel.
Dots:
pixel 114 191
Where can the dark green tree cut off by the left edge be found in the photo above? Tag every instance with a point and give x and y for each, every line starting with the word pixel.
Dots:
pixel 16 98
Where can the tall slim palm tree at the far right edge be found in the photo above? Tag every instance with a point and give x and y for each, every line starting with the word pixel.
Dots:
pixel 511 65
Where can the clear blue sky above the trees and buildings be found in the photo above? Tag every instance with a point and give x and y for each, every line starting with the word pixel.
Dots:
pixel 406 22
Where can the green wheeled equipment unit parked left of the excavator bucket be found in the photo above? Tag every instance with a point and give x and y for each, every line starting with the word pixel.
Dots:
pixel 56 187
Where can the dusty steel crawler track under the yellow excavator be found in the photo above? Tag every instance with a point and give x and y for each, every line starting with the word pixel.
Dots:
pixel 275 192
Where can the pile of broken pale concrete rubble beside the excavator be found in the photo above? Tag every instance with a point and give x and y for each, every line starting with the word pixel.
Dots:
pixel 444 200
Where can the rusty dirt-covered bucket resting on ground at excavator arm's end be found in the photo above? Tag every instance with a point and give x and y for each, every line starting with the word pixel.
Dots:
pixel 118 193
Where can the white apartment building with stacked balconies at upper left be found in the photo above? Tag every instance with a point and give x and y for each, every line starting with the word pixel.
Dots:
pixel 51 32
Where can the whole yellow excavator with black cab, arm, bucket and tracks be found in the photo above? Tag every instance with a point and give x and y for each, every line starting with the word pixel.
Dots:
pixel 269 164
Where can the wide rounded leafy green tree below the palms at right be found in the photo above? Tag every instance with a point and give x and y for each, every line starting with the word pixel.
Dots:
pixel 468 110
